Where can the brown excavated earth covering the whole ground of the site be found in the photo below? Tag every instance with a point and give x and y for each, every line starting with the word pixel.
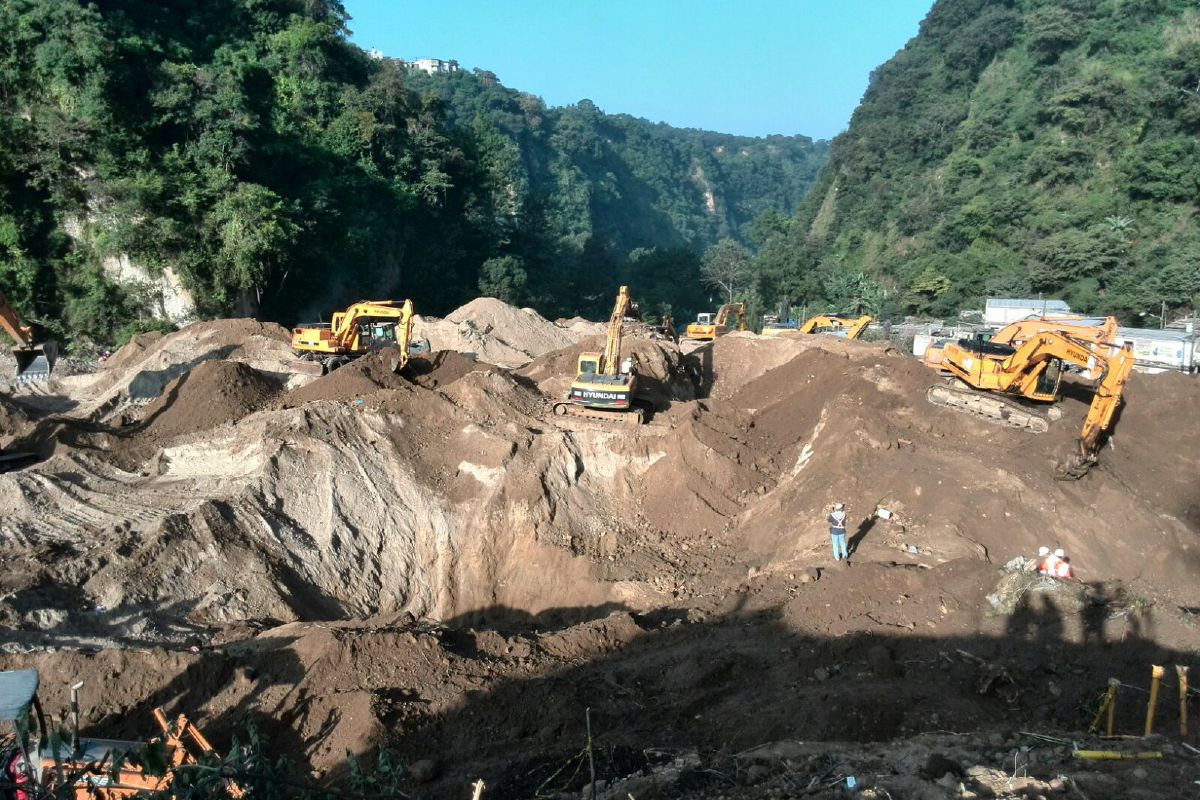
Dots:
pixel 435 564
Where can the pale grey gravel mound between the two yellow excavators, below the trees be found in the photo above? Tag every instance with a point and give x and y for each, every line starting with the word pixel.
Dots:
pixel 496 333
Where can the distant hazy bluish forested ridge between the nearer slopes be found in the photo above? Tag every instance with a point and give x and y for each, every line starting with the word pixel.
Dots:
pixel 628 181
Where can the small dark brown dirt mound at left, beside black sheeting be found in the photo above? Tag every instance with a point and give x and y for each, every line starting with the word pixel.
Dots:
pixel 211 395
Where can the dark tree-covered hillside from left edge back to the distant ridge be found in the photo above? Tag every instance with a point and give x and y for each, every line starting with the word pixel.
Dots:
pixel 248 147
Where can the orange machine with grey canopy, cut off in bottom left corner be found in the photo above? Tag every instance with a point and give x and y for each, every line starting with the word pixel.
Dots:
pixel 37 762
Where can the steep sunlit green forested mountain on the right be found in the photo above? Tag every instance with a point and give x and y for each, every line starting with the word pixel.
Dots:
pixel 1015 147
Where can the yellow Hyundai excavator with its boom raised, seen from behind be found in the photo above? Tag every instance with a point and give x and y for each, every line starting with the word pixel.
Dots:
pixel 604 389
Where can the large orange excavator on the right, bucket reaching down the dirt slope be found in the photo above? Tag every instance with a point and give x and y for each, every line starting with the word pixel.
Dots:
pixel 988 377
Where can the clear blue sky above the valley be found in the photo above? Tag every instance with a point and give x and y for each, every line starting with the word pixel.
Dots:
pixel 752 68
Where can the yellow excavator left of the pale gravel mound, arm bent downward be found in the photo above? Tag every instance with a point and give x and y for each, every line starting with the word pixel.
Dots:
pixel 367 327
